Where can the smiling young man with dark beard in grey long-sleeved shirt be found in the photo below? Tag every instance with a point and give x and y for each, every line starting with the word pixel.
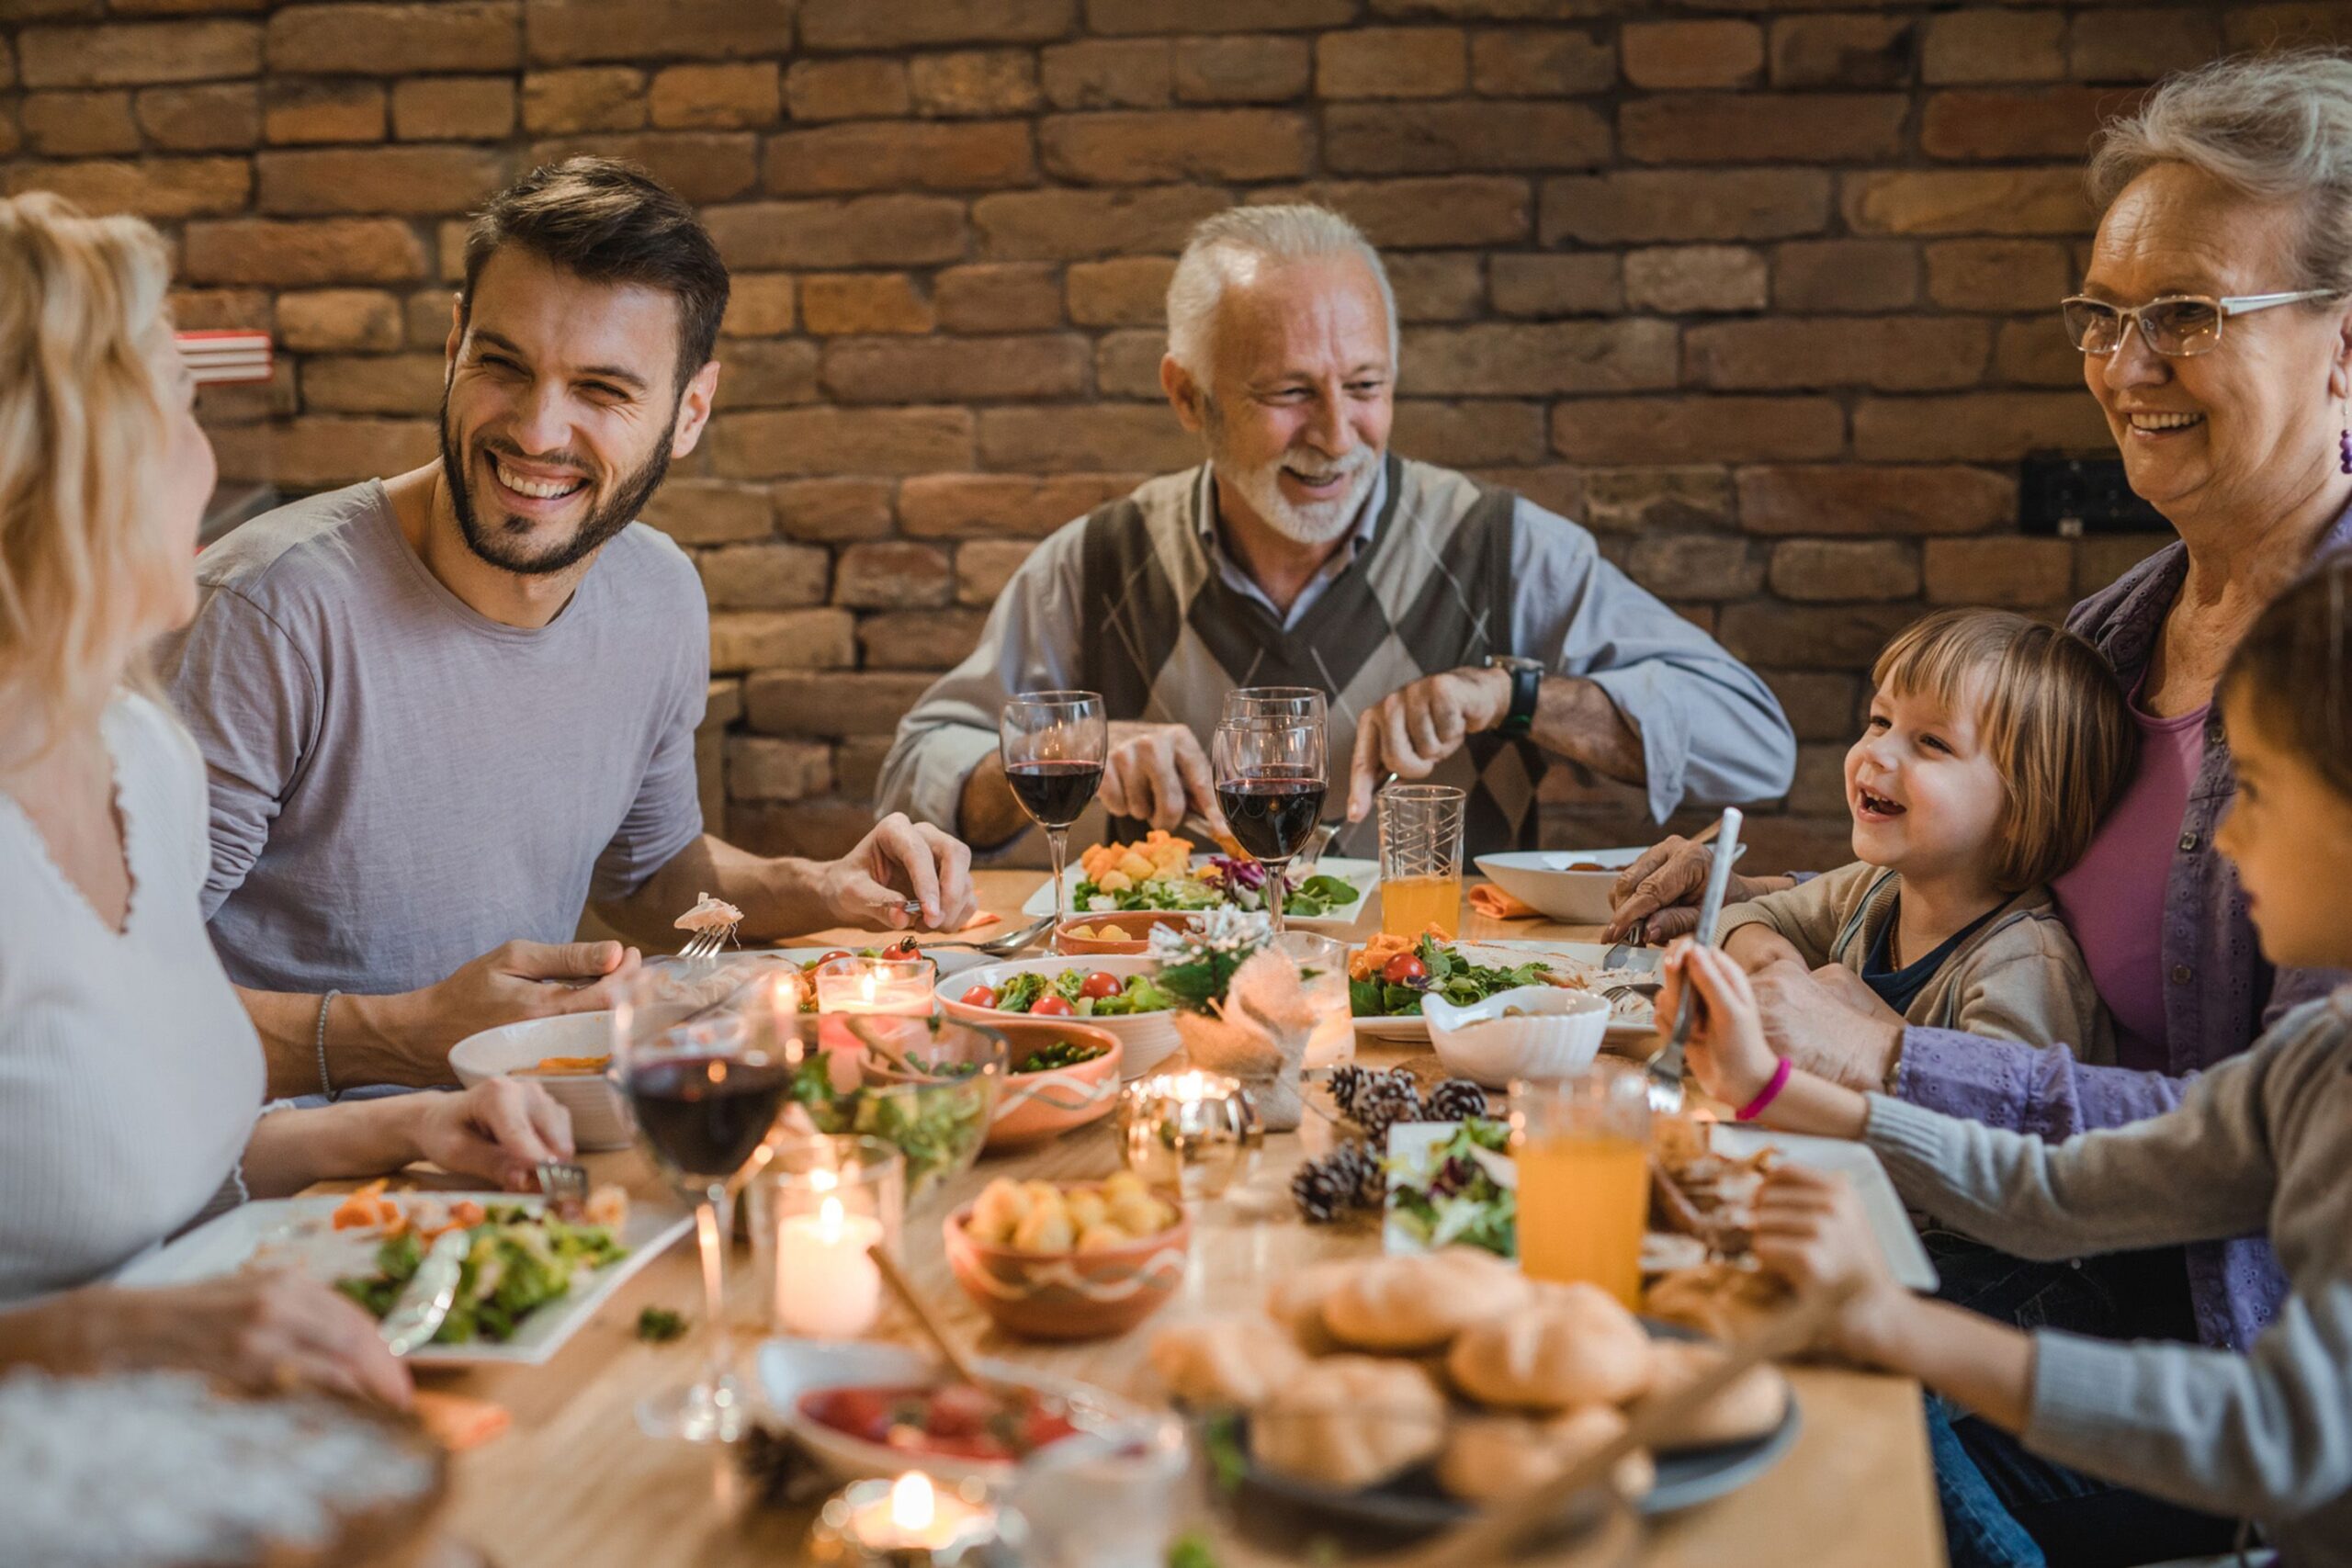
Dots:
pixel 453 709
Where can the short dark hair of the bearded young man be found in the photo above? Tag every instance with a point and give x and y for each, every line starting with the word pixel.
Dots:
pixel 610 222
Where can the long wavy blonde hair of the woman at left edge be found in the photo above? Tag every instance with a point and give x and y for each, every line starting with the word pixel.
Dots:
pixel 83 422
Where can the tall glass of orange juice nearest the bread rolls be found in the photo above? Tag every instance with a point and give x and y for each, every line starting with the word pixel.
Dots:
pixel 1582 1148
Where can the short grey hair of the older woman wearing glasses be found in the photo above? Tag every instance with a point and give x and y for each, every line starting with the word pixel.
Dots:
pixel 2278 128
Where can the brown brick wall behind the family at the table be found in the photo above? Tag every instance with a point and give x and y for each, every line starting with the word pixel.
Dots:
pixel 1760 290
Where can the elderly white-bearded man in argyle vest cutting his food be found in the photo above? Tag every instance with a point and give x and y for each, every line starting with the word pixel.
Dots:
pixel 1459 631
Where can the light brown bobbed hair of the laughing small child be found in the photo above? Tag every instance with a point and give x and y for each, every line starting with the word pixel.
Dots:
pixel 2050 716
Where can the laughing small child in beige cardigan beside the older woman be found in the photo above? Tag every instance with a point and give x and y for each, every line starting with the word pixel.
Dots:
pixel 1993 749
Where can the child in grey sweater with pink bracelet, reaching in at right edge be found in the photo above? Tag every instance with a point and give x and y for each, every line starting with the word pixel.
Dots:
pixel 2259 1144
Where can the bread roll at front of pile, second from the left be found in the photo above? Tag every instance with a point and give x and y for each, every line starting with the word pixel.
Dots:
pixel 1351 1423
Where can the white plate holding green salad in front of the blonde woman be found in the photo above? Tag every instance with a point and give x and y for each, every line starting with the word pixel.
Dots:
pixel 300 1233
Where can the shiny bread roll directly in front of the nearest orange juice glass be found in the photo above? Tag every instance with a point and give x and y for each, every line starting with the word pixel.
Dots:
pixel 1572 1348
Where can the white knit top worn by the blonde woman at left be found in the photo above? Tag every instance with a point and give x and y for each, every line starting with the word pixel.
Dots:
pixel 128 1071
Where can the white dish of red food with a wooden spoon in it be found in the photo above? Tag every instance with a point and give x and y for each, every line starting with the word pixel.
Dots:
pixel 794 1367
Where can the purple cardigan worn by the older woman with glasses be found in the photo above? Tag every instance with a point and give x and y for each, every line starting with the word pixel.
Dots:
pixel 2219 991
